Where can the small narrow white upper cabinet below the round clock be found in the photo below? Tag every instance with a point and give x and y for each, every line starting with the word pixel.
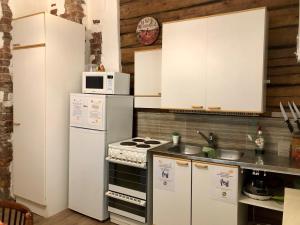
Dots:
pixel 147 78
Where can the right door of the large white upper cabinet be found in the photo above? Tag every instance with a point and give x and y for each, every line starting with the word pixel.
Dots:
pixel 235 61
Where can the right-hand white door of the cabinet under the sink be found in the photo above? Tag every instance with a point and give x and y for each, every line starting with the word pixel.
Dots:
pixel 208 207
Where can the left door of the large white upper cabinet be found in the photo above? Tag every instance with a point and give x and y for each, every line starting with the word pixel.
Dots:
pixel 183 64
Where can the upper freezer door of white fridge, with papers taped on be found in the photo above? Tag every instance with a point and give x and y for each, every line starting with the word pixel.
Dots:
pixel 88 111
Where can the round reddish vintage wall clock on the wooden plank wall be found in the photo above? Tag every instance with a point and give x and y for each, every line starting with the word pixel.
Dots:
pixel 147 31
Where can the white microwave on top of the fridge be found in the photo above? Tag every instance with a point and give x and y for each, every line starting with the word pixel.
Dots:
pixel 110 83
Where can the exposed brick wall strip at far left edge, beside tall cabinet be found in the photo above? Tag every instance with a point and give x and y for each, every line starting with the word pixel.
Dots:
pixel 5 100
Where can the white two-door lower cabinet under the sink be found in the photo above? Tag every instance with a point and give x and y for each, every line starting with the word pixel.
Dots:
pixel 195 193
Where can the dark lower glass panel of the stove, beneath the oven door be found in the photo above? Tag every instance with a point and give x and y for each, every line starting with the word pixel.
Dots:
pixel 127 207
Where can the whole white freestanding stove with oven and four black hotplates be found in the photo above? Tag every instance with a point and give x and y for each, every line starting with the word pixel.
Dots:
pixel 130 180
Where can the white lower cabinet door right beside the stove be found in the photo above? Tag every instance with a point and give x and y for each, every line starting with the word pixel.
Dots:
pixel 171 191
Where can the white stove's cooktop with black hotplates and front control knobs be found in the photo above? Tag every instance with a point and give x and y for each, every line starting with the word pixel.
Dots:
pixel 132 152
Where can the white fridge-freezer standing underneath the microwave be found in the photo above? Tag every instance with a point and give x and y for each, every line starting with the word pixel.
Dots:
pixel 95 121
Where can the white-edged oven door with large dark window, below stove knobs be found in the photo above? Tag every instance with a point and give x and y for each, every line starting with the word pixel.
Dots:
pixel 128 180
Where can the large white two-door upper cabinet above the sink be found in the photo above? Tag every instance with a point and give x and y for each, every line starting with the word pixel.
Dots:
pixel 215 63
